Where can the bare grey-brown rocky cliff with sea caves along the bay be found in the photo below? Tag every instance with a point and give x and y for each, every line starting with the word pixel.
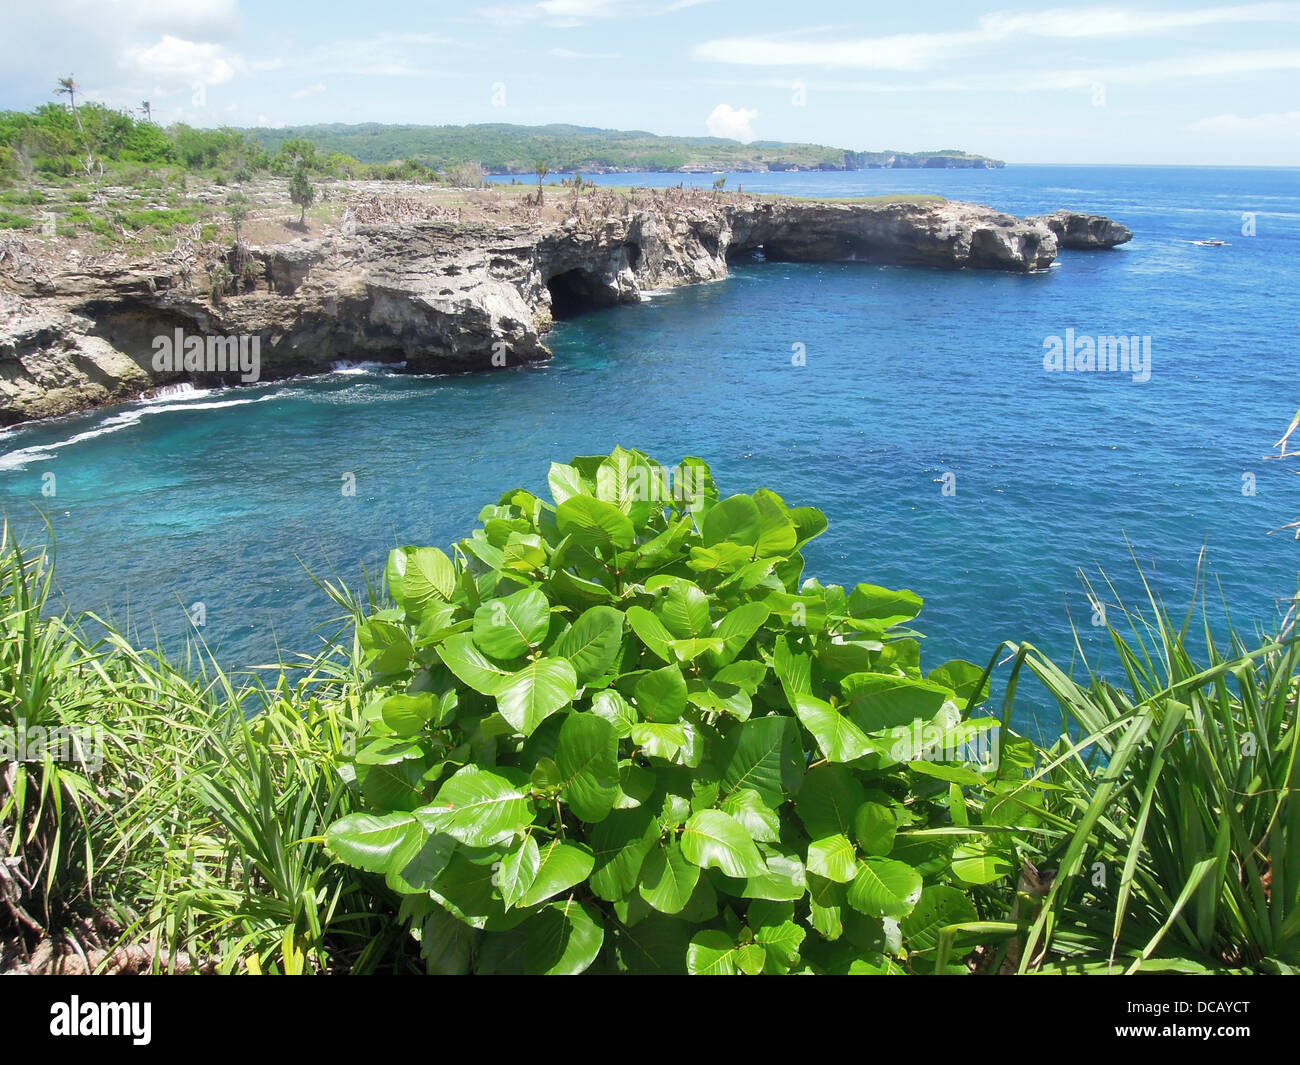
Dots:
pixel 437 295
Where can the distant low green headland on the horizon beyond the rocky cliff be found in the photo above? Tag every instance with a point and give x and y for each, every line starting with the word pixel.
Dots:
pixel 504 149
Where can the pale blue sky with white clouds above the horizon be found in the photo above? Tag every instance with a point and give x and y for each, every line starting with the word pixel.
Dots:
pixel 1154 83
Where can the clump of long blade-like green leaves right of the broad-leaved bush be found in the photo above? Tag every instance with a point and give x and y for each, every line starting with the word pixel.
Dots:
pixel 1171 803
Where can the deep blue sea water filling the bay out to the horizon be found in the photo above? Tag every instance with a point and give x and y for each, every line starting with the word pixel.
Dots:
pixel 911 375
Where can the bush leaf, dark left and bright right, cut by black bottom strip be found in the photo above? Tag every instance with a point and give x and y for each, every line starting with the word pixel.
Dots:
pixel 561 941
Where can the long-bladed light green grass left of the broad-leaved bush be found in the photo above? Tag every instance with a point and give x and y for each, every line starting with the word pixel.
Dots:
pixel 185 832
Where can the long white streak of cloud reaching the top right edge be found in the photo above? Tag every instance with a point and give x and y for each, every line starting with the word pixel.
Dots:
pixel 902 53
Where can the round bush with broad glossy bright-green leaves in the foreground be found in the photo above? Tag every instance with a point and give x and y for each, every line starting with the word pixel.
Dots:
pixel 618 734
